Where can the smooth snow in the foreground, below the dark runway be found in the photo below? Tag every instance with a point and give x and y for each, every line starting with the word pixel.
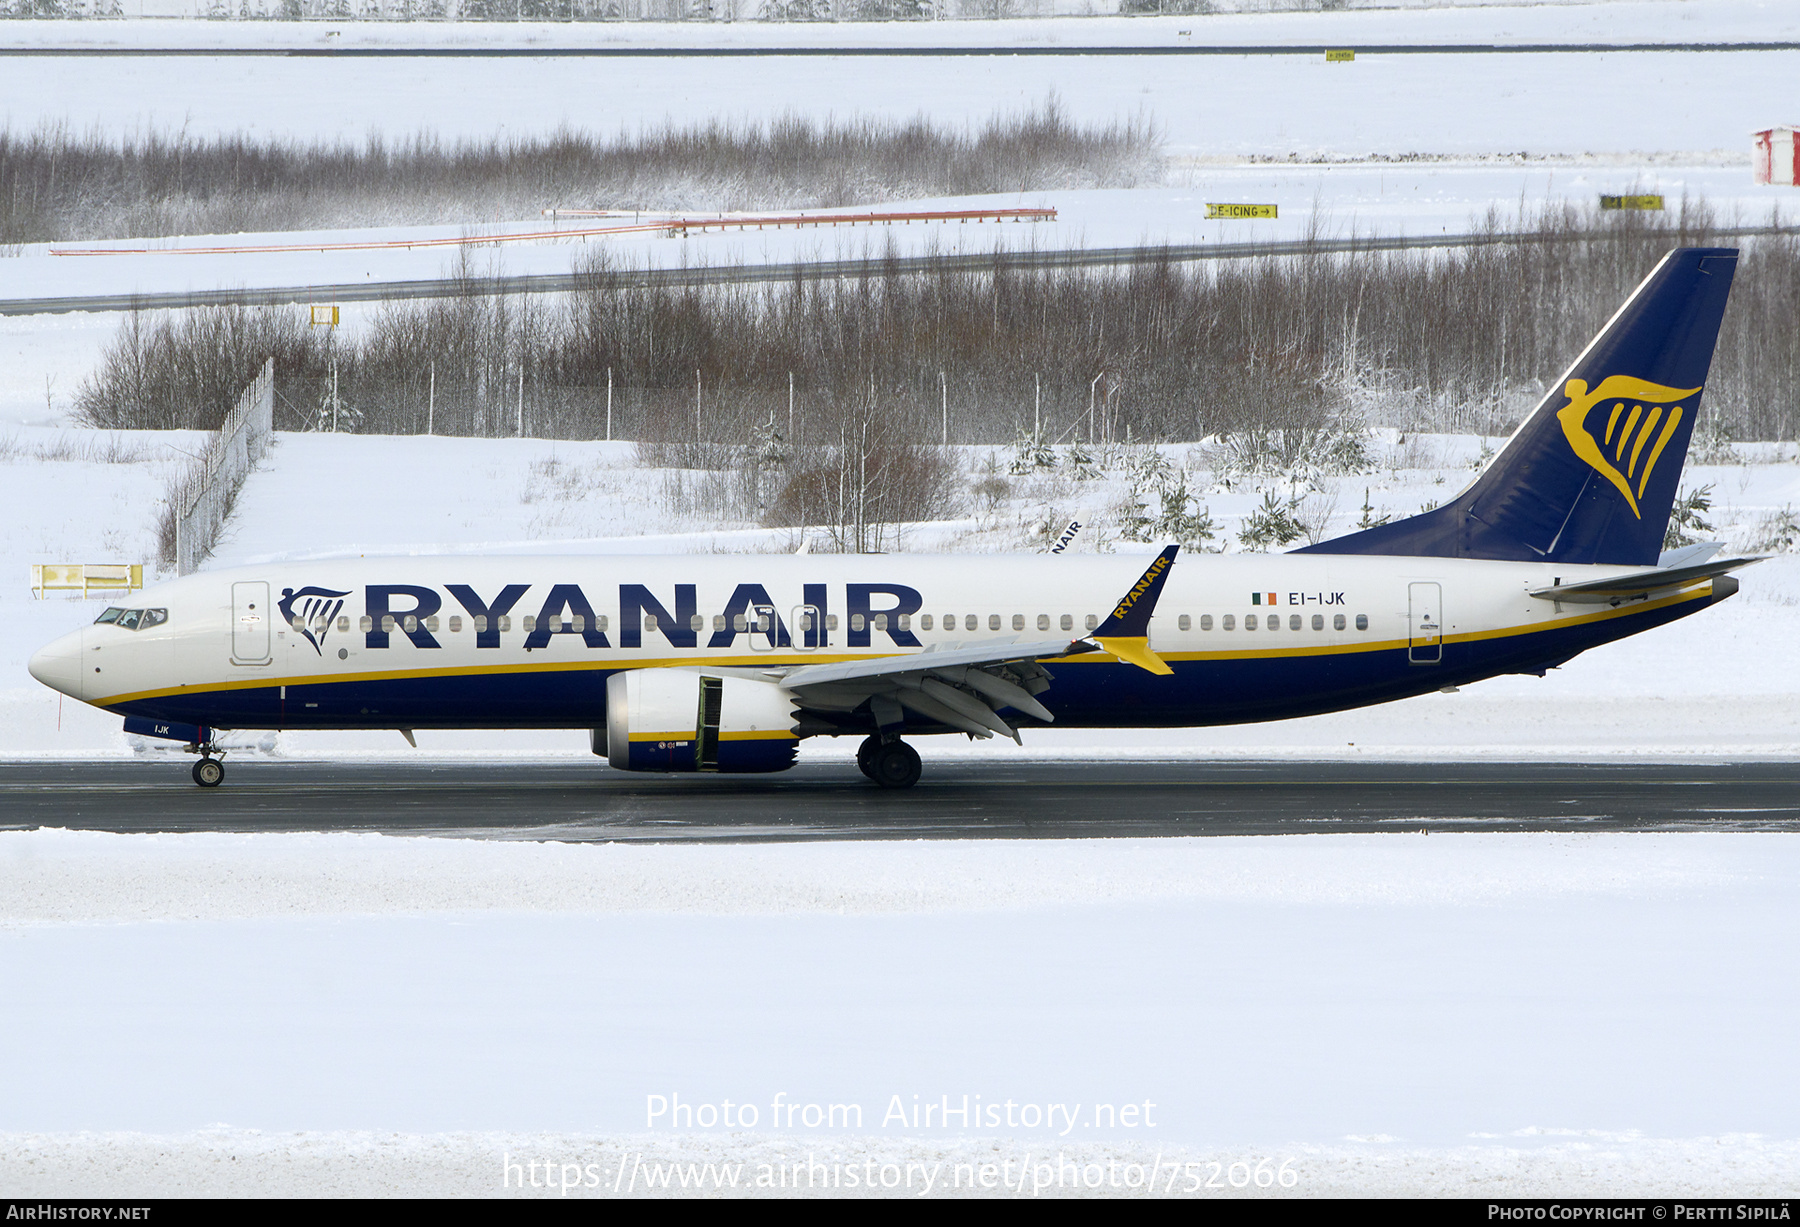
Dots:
pixel 1457 1014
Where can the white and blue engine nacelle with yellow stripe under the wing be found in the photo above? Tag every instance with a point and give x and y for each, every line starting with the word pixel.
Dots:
pixel 678 721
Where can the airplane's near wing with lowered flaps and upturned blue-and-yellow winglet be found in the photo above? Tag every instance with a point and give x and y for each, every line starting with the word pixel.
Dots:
pixel 966 688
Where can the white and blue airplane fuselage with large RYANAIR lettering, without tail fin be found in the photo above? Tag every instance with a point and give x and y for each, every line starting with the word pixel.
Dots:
pixel 489 643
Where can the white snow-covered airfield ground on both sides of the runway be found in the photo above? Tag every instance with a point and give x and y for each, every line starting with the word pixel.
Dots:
pixel 1480 1016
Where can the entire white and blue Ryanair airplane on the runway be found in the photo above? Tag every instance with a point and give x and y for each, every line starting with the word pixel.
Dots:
pixel 724 665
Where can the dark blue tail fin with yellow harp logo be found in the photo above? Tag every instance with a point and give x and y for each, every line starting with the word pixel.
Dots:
pixel 1592 474
